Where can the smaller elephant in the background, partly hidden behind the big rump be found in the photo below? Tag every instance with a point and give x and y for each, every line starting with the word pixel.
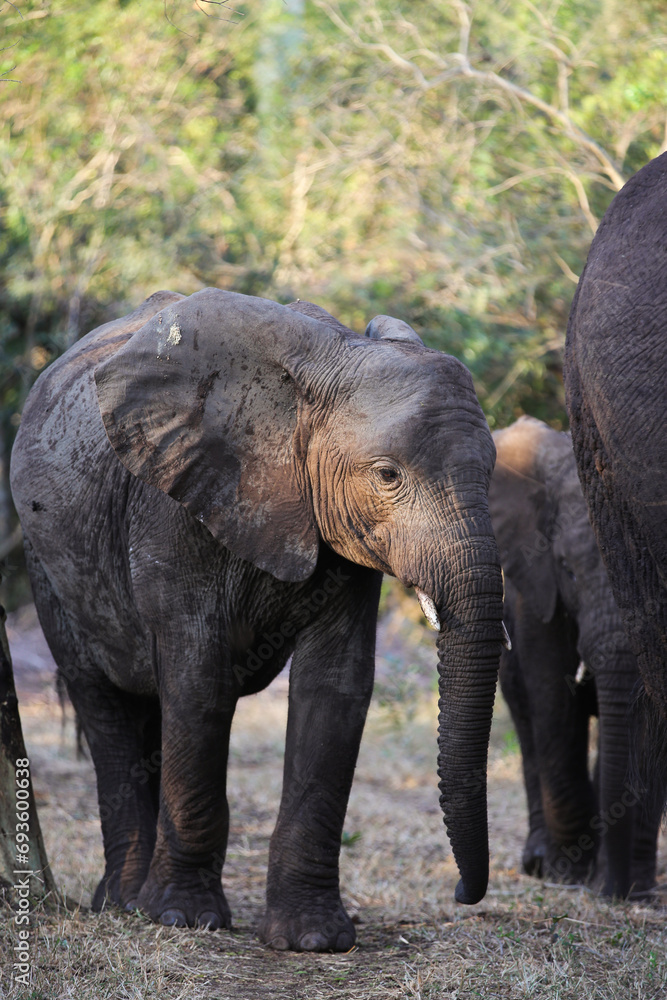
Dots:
pixel 561 614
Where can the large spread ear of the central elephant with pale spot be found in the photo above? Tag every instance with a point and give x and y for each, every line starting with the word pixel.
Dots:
pixel 203 403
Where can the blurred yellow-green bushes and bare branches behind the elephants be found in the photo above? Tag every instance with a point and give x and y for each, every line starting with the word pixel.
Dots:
pixel 446 162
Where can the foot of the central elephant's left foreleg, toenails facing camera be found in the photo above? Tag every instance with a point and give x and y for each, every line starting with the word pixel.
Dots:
pixel 184 903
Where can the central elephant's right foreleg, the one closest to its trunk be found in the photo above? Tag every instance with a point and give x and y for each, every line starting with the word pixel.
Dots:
pixel 330 691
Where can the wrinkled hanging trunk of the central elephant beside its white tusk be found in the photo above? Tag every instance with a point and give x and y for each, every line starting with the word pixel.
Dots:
pixel 468 650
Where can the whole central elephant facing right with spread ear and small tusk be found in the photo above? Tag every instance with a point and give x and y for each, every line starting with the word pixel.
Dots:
pixel 212 484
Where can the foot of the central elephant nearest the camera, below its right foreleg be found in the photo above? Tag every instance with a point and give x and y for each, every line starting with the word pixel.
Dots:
pixel 314 930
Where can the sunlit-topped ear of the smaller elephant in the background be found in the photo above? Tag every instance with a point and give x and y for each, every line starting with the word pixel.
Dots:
pixel 522 513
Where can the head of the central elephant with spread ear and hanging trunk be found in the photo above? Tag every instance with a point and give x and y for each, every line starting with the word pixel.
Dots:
pixel 281 430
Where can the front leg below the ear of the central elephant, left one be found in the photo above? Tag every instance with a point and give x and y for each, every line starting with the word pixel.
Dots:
pixel 183 886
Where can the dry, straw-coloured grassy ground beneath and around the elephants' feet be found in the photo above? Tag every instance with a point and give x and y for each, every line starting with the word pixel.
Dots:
pixel 523 940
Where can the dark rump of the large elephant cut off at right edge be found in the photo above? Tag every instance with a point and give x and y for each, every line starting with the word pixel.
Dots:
pixel 616 392
